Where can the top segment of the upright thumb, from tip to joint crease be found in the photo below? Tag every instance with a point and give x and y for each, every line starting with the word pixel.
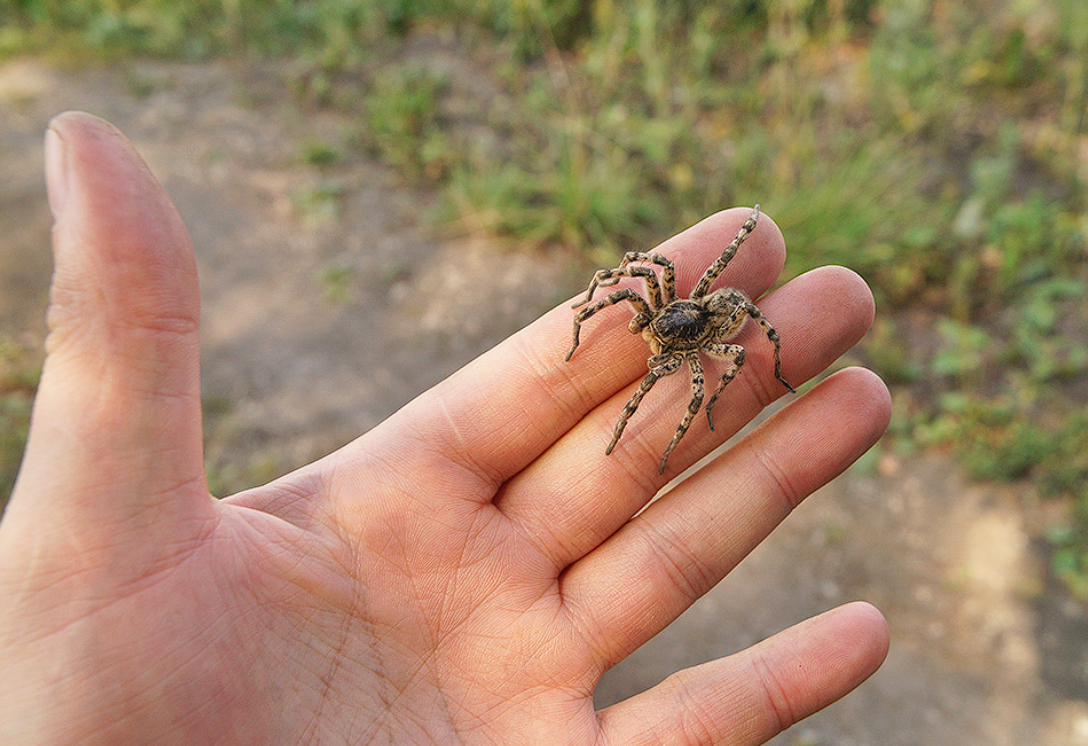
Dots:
pixel 117 233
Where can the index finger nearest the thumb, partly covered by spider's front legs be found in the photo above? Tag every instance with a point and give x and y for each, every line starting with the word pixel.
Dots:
pixel 500 413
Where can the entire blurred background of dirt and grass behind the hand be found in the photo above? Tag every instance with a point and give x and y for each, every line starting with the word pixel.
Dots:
pixel 378 191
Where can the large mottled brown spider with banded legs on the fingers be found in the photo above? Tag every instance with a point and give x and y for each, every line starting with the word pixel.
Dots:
pixel 679 329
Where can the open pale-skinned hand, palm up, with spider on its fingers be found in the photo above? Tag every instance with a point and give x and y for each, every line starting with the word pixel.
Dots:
pixel 463 574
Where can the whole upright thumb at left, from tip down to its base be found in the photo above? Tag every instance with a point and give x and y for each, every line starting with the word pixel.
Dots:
pixel 116 428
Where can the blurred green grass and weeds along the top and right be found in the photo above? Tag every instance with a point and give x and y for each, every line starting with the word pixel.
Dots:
pixel 935 147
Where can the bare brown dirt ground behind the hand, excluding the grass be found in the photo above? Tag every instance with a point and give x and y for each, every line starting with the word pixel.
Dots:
pixel 316 329
